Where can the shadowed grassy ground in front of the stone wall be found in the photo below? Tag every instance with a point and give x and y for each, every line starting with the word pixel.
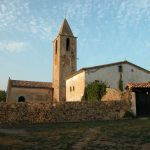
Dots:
pixel 104 135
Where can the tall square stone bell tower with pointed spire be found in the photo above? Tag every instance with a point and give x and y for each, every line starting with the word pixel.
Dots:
pixel 64 60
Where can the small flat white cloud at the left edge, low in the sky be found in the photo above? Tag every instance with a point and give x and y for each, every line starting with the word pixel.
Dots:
pixel 13 47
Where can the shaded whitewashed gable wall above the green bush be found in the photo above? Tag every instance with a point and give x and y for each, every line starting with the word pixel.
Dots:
pixel 111 75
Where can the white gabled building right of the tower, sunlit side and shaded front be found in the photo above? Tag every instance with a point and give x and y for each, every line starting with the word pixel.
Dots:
pixel 109 73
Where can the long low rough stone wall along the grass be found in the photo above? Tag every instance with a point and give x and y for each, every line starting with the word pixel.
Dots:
pixel 67 112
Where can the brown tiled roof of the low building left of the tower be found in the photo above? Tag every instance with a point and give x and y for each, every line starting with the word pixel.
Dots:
pixel 30 84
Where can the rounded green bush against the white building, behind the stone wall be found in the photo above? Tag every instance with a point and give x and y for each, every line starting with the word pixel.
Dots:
pixel 94 91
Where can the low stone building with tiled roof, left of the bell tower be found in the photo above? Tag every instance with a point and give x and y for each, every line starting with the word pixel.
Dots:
pixel 29 91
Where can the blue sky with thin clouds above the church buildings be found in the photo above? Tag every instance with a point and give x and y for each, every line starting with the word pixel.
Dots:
pixel 108 31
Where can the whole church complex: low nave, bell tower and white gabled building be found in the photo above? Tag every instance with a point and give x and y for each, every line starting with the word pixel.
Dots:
pixel 68 83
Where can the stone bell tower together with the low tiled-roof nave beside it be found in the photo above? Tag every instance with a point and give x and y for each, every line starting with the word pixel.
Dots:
pixel 64 64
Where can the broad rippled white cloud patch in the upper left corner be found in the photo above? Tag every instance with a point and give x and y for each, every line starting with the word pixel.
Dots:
pixel 18 15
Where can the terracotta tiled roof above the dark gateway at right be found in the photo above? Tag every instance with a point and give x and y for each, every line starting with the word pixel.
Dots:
pixel 138 85
